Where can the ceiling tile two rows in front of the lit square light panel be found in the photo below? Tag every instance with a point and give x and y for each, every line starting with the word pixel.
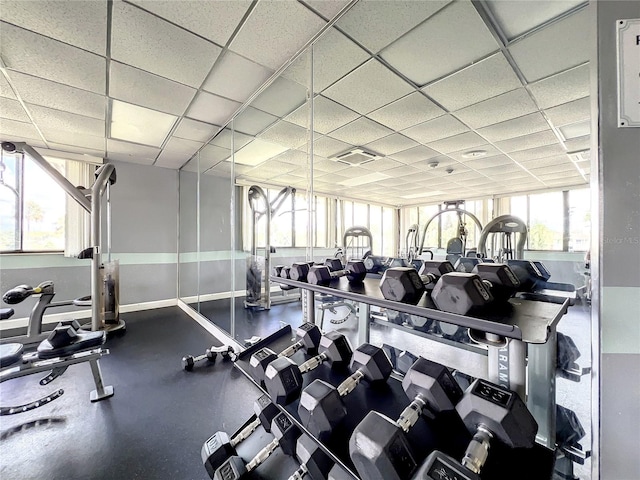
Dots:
pixel 147 42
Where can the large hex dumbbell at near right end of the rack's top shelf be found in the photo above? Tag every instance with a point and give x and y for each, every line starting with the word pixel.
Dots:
pixel 459 292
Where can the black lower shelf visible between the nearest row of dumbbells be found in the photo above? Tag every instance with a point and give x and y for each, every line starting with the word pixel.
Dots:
pixel 446 432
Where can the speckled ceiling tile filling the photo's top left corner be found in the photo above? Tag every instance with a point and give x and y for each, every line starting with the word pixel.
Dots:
pixel 83 24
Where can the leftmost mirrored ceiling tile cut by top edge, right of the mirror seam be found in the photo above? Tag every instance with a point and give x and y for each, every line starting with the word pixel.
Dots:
pixel 375 24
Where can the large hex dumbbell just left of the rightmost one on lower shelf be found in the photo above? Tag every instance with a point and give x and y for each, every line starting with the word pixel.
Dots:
pixel 378 446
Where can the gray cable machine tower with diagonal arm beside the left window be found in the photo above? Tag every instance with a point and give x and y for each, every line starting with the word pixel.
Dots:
pixel 104 276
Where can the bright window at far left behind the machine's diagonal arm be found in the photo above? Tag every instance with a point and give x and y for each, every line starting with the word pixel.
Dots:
pixel 33 207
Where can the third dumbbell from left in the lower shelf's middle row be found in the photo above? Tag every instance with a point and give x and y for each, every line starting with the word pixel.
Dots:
pixel 321 407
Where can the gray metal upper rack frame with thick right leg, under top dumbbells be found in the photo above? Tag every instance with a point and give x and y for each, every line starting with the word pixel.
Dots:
pixel 526 365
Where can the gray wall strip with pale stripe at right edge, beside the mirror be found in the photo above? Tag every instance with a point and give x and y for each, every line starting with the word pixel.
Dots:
pixel 619 257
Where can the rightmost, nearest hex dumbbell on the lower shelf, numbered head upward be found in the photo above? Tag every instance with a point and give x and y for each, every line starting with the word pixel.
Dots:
pixel 489 412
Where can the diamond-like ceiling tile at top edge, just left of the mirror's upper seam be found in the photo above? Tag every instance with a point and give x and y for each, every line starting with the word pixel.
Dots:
pixel 275 31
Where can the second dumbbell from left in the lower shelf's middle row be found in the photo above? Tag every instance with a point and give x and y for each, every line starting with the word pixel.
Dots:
pixel 283 377
